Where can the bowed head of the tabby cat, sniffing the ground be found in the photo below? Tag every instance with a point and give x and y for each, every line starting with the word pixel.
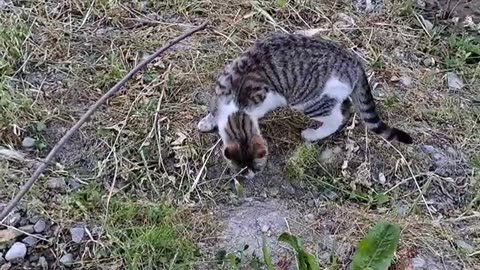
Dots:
pixel 244 147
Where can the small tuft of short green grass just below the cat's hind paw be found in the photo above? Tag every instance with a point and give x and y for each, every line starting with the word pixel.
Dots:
pixel 304 157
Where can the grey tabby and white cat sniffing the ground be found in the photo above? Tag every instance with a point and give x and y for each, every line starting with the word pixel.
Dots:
pixel 310 75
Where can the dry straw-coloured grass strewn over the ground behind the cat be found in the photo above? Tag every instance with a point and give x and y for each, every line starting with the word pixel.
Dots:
pixel 69 53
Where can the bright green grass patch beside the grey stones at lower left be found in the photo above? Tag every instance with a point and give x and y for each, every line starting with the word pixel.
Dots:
pixel 147 236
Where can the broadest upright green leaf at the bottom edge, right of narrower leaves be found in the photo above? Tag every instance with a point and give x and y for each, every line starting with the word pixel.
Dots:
pixel 376 250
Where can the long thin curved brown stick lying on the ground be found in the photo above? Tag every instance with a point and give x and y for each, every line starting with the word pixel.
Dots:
pixel 87 115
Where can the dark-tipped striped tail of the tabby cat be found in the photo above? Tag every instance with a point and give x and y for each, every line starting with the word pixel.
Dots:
pixel 363 101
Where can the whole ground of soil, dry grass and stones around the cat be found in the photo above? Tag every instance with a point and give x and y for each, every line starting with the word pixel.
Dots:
pixel 139 188
